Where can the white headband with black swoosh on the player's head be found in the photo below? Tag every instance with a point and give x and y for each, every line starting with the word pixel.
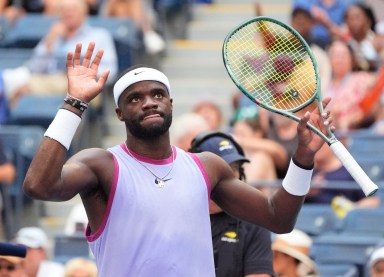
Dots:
pixel 137 75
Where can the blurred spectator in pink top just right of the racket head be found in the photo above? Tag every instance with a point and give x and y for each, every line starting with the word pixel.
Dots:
pixel 347 88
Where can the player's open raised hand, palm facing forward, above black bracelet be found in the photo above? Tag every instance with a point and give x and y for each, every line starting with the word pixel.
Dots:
pixel 82 76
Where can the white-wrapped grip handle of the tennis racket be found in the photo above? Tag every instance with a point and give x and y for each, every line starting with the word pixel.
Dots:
pixel 366 184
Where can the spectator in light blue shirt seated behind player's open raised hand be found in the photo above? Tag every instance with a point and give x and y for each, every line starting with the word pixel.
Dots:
pixel 47 63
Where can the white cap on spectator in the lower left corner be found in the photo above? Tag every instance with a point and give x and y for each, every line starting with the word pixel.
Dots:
pixel 32 237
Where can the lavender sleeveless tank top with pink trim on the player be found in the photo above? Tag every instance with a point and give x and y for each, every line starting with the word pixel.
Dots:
pixel 152 231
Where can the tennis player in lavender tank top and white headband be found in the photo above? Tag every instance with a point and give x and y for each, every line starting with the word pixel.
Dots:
pixel 146 200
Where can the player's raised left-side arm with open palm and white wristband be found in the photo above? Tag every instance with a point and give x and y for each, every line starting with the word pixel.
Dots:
pixel 47 177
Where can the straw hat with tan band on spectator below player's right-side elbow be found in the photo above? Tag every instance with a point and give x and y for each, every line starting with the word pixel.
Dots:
pixel 296 244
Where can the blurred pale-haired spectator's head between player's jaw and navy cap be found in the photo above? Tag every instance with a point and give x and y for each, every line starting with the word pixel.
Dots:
pixel 185 127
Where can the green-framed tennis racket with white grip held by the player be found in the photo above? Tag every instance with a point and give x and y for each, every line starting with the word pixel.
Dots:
pixel 274 67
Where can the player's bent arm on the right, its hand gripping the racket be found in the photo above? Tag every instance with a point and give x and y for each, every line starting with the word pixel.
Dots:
pixel 277 213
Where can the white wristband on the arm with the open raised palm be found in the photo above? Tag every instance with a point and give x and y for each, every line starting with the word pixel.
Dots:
pixel 63 127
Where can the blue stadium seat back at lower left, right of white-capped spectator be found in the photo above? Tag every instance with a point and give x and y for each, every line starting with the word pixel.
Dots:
pixel 67 247
